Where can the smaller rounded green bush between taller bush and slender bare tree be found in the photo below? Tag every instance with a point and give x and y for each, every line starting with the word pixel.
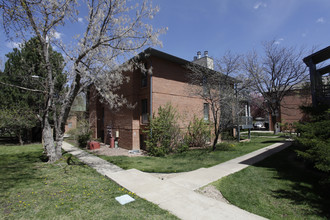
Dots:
pixel 198 133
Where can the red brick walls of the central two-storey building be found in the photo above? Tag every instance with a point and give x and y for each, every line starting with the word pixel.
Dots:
pixel 169 85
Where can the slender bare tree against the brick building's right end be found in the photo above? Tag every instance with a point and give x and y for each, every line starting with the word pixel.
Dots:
pixel 220 90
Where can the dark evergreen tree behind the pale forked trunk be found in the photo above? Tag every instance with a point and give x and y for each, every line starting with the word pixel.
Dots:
pixel 23 88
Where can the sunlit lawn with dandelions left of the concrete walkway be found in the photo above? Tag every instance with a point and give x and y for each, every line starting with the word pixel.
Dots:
pixel 67 189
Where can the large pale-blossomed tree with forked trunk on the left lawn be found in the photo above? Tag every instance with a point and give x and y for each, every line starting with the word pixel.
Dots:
pixel 113 29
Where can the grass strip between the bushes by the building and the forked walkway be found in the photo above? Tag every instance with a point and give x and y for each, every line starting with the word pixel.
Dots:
pixel 190 160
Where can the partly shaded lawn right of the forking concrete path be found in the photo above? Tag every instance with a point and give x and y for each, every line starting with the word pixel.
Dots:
pixel 278 187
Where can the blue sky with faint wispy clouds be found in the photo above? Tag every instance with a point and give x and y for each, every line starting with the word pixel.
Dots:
pixel 236 25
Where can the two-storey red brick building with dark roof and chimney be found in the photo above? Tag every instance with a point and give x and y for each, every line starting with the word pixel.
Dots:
pixel 167 83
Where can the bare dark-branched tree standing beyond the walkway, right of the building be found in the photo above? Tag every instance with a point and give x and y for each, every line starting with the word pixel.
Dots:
pixel 275 74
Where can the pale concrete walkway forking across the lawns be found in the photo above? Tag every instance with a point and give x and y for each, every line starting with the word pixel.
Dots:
pixel 177 194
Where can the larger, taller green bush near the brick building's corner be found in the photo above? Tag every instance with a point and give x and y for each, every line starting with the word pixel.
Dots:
pixel 163 132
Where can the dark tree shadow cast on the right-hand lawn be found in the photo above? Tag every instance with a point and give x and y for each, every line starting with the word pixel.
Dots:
pixel 304 185
